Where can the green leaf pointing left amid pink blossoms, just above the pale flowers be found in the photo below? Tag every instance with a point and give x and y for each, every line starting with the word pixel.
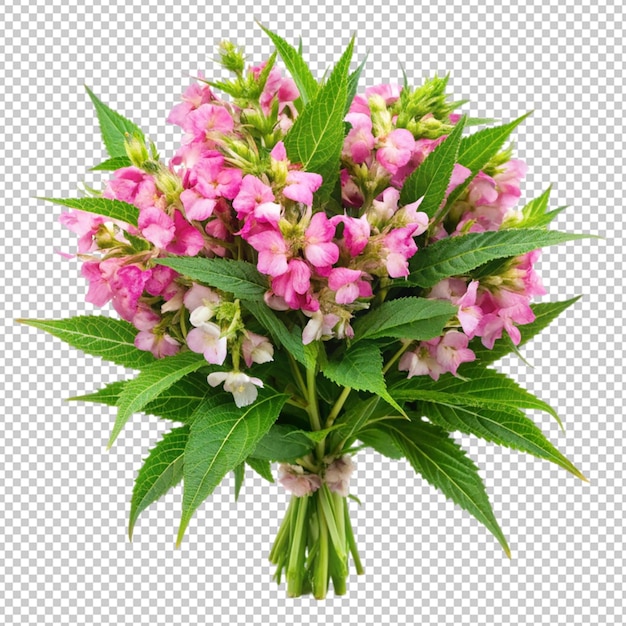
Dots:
pixel 237 277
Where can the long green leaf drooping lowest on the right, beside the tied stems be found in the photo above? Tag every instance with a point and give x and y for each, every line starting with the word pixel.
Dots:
pixel 445 465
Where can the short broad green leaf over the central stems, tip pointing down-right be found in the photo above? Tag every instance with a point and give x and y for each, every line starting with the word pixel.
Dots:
pixel 361 368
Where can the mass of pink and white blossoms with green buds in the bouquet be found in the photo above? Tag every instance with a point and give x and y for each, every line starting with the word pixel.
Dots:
pixel 231 191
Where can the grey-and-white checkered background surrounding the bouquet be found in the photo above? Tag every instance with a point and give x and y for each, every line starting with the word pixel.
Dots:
pixel 64 499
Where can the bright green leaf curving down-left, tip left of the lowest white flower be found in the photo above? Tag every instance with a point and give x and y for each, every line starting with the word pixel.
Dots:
pixel 151 382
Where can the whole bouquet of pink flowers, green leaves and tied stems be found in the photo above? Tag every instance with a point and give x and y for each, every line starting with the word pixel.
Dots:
pixel 313 272
